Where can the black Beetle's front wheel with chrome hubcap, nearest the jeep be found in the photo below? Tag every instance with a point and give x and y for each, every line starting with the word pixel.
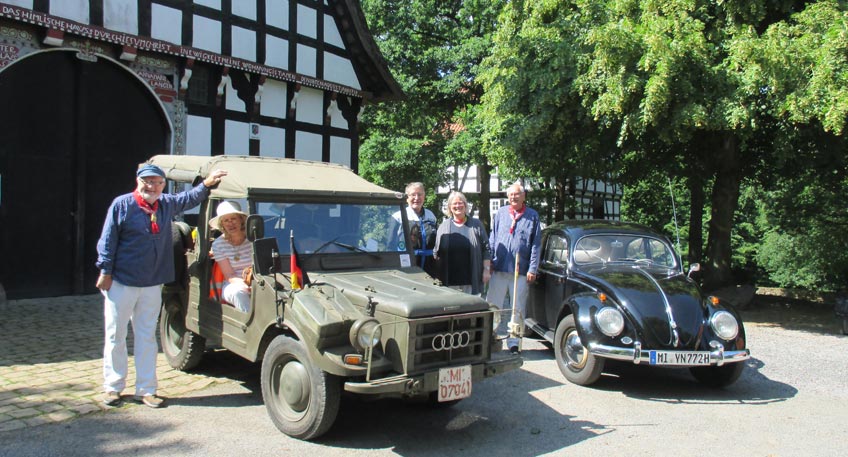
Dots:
pixel 573 358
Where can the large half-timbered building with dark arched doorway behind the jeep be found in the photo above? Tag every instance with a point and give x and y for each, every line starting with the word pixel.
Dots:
pixel 91 88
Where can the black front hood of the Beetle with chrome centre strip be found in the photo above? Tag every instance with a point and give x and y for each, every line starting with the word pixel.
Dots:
pixel 656 302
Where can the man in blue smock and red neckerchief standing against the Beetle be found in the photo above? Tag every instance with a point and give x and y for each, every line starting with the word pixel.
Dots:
pixel 516 231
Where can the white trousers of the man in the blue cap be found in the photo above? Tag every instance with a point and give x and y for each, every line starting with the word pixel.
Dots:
pixel 139 305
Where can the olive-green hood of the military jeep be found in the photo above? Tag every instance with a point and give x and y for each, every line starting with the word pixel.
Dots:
pixel 407 293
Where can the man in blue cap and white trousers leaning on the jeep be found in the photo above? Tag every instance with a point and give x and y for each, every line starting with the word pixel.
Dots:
pixel 135 256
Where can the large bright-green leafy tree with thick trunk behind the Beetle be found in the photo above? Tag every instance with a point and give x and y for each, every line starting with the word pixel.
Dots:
pixel 703 91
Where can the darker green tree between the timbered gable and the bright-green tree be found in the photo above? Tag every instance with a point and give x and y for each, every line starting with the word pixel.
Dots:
pixel 433 47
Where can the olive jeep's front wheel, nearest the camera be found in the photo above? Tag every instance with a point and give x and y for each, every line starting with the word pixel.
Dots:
pixel 301 399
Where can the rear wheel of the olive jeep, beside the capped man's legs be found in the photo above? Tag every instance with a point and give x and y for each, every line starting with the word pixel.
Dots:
pixel 183 348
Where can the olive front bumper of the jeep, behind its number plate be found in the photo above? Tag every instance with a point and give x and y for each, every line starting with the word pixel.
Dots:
pixel 405 385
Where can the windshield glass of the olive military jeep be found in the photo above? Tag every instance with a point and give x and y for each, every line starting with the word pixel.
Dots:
pixel 332 228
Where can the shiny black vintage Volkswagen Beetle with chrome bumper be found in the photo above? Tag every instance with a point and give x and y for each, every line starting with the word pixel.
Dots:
pixel 617 291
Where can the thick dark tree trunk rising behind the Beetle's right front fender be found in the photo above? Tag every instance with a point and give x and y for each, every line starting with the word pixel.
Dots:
pixel 725 199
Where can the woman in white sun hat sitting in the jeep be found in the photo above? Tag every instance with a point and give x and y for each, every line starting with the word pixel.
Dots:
pixel 233 253
